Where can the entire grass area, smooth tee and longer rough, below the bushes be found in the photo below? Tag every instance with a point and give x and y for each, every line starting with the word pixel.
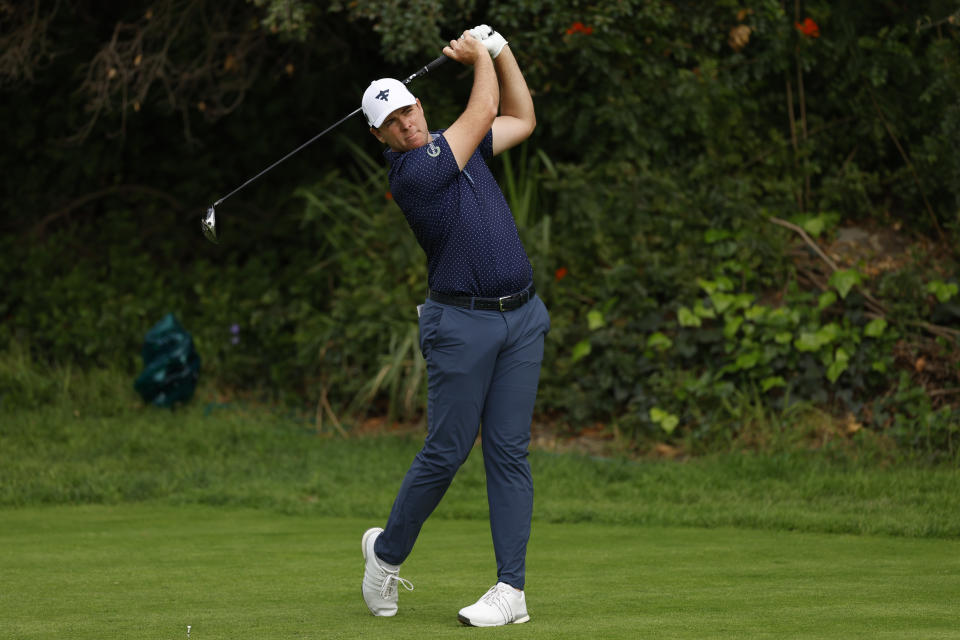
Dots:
pixel 118 520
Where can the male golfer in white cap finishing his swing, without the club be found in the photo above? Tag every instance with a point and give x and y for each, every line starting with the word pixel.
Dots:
pixel 482 326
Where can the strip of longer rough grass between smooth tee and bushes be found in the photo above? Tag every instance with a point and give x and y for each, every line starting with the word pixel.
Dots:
pixel 216 455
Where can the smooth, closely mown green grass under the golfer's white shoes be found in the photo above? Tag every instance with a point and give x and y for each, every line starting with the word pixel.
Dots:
pixel 145 571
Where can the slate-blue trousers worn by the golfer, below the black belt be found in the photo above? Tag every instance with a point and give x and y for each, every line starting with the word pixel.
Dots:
pixel 483 367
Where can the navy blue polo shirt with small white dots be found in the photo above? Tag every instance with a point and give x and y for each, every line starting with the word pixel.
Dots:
pixel 461 220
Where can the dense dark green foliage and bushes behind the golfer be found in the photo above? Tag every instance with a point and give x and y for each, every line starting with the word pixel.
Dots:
pixel 685 201
